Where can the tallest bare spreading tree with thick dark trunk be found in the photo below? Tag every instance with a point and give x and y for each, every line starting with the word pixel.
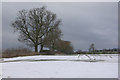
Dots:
pixel 34 25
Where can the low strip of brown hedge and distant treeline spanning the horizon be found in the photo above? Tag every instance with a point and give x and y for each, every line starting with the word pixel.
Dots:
pixel 9 53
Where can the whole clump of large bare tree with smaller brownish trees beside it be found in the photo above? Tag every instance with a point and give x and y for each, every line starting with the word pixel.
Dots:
pixel 40 27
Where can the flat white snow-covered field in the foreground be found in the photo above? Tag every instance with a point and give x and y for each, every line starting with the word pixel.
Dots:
pixel 100 66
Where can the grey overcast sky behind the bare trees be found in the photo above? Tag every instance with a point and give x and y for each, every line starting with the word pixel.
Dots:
pixel 82 23
